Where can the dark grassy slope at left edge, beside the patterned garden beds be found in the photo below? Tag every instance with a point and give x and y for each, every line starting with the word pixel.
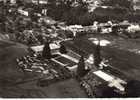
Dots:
pixel 8 66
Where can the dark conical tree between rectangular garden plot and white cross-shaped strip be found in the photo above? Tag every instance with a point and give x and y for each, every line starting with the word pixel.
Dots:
pixel 81 68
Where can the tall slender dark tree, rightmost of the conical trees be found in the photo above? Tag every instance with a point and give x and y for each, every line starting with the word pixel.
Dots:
pixel 97 55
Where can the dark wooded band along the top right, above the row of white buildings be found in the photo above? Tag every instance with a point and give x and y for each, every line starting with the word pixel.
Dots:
pixel 77 12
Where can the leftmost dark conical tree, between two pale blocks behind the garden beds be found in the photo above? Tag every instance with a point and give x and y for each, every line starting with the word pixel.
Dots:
pixel 46 53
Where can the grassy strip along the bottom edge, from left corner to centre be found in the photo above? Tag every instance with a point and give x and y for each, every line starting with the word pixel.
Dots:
pixel 65 89
